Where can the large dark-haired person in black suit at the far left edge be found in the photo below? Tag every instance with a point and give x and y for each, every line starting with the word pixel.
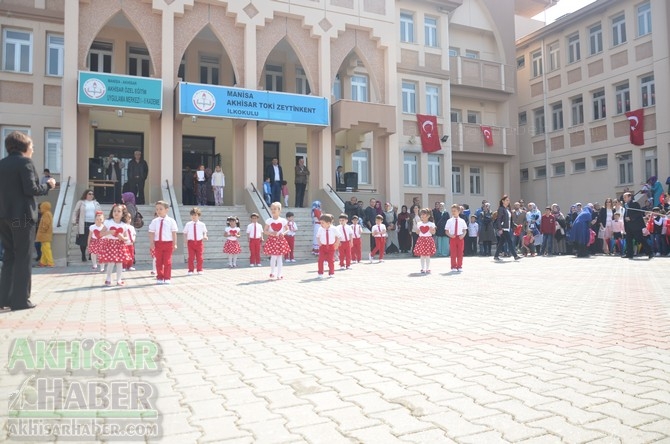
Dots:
pixel 19 184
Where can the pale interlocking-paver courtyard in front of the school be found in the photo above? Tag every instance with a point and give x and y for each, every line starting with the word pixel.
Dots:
pixel 538 351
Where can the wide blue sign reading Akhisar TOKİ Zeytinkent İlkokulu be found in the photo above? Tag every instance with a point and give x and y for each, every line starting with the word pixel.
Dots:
pixel 237 103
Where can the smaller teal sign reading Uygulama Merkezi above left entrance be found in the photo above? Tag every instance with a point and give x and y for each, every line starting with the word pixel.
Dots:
pixel 117 91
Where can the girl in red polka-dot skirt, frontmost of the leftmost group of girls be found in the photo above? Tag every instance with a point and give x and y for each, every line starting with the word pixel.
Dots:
pixel 112 245
